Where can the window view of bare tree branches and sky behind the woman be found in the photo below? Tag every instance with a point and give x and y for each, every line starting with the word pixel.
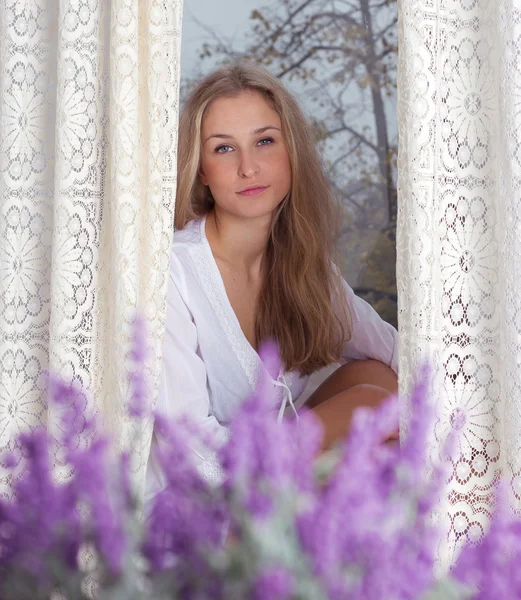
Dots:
pixel 339 59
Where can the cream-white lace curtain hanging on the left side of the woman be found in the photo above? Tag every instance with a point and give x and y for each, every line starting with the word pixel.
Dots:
pixel 88 106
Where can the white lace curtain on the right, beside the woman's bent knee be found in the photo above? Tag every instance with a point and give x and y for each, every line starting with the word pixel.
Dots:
pixel 459 240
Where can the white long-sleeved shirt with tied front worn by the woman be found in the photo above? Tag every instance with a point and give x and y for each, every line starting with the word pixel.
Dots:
pixel 209 367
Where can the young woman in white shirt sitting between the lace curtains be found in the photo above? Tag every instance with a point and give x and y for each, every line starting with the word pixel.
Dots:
pixel 251 261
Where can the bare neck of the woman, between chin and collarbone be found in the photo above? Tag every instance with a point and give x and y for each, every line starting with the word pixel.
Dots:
pixel 239 242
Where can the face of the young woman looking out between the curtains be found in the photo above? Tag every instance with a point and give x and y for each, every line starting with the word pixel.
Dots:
pixel 244 159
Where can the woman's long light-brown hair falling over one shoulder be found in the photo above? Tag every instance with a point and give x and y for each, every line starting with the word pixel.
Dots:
pixel 302 303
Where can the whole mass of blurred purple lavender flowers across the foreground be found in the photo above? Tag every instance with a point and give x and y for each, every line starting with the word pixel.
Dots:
pixel 286 523
